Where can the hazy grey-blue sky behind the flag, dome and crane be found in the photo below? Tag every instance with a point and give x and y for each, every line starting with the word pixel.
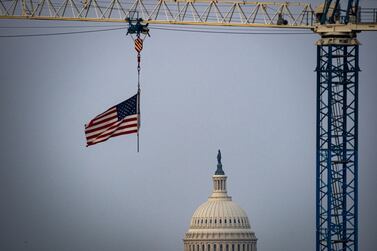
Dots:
pixel 253 96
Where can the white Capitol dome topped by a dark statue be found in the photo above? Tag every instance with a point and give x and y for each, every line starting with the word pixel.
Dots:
pixel 219 224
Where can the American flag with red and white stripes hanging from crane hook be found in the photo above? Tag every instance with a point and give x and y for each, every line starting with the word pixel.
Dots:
pixel 118 120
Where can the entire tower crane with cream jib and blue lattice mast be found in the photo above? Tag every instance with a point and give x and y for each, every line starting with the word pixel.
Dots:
pixel 336 21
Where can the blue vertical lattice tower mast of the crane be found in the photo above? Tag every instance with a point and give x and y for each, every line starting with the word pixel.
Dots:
pixel 337 148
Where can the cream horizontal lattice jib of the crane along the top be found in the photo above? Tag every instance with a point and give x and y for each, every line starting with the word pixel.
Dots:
pixel 193 12
